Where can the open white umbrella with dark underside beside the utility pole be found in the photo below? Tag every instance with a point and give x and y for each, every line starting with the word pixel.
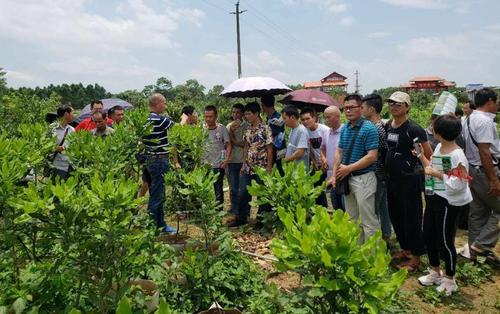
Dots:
pixel 257 86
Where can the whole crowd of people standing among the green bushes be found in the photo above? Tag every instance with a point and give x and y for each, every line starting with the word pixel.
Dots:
pixel 375 170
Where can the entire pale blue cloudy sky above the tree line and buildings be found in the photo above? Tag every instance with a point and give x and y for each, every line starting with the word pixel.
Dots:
pixel 127 44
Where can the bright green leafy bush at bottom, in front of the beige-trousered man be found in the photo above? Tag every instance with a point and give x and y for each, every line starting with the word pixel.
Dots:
pixel 338 274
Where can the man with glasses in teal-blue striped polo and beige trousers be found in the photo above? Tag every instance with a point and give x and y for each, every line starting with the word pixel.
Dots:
pixel 355 159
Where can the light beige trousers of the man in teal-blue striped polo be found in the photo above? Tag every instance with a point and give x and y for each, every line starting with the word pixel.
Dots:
pixel 360 203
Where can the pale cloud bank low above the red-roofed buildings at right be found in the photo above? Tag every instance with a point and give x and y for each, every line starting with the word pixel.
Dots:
pixel 464 58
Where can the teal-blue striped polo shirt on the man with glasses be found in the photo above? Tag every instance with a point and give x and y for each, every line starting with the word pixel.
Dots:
pixel 366 140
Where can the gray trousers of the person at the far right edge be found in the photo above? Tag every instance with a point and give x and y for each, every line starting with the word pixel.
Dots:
pixel 484 212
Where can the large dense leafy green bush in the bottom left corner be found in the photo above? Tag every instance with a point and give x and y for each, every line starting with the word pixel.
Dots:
pixel 90 233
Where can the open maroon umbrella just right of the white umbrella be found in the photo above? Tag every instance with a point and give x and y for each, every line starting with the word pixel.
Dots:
pixel 310 98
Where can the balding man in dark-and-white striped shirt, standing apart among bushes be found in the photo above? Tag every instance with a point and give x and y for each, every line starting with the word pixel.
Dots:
pixel 157 162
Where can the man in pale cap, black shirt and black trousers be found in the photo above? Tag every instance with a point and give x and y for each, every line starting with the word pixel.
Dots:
pixel 406 180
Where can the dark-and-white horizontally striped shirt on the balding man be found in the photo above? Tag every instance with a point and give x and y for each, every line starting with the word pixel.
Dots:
pixel 157 141
